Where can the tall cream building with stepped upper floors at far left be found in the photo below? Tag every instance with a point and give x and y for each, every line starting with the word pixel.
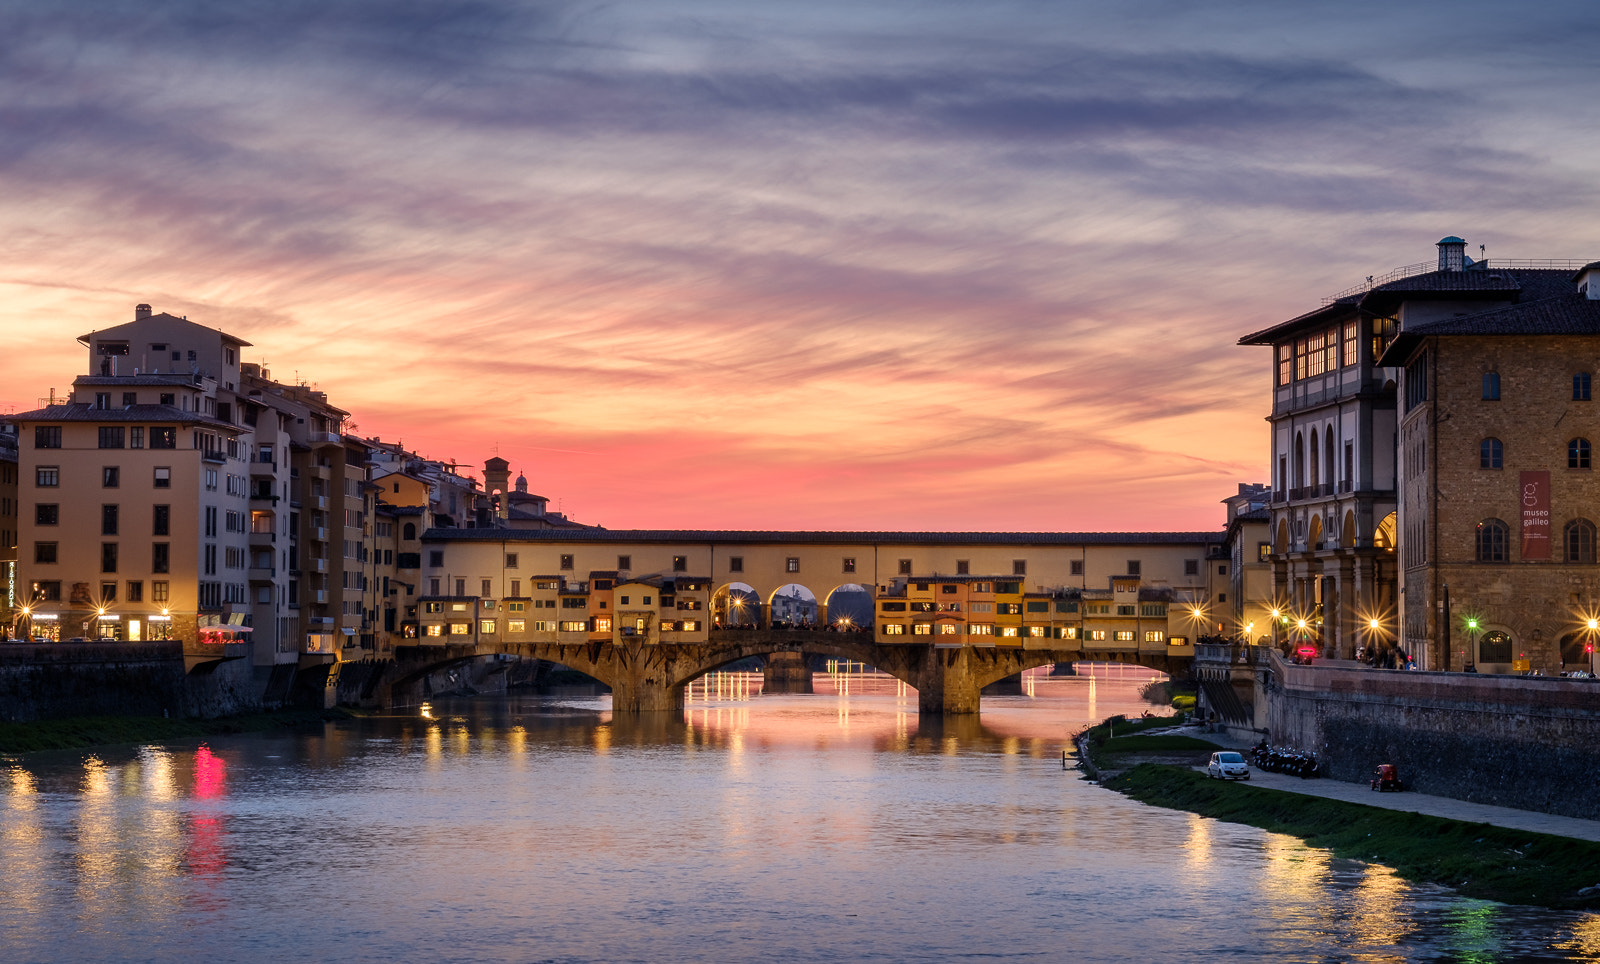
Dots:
pixel 135 512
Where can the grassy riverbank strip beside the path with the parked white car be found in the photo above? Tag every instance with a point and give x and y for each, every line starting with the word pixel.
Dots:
pixel 1476 859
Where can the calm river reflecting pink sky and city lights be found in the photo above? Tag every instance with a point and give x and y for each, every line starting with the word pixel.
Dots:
pixel 777 829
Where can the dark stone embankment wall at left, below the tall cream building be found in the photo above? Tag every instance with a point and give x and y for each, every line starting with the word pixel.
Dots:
pixel 54 681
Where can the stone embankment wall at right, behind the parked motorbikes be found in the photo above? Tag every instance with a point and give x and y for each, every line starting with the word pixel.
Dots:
pixel 1508 741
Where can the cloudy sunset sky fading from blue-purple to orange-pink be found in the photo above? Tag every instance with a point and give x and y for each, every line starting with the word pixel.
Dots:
pixel 780 265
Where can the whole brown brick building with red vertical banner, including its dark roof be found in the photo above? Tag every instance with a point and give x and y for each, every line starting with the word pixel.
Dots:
pixel 1498 494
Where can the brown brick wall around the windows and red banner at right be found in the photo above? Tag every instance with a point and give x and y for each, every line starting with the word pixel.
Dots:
pixel 1535 601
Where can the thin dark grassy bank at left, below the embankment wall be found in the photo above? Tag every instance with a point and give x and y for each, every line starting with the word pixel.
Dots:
pixel 105 731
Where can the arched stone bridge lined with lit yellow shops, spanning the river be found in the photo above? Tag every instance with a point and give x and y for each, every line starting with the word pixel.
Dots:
pixel 650 611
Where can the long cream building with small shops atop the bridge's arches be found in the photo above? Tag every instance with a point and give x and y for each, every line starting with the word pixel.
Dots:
pixel 698 577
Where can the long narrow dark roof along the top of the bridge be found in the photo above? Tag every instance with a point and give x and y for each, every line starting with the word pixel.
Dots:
pixel 815 537
